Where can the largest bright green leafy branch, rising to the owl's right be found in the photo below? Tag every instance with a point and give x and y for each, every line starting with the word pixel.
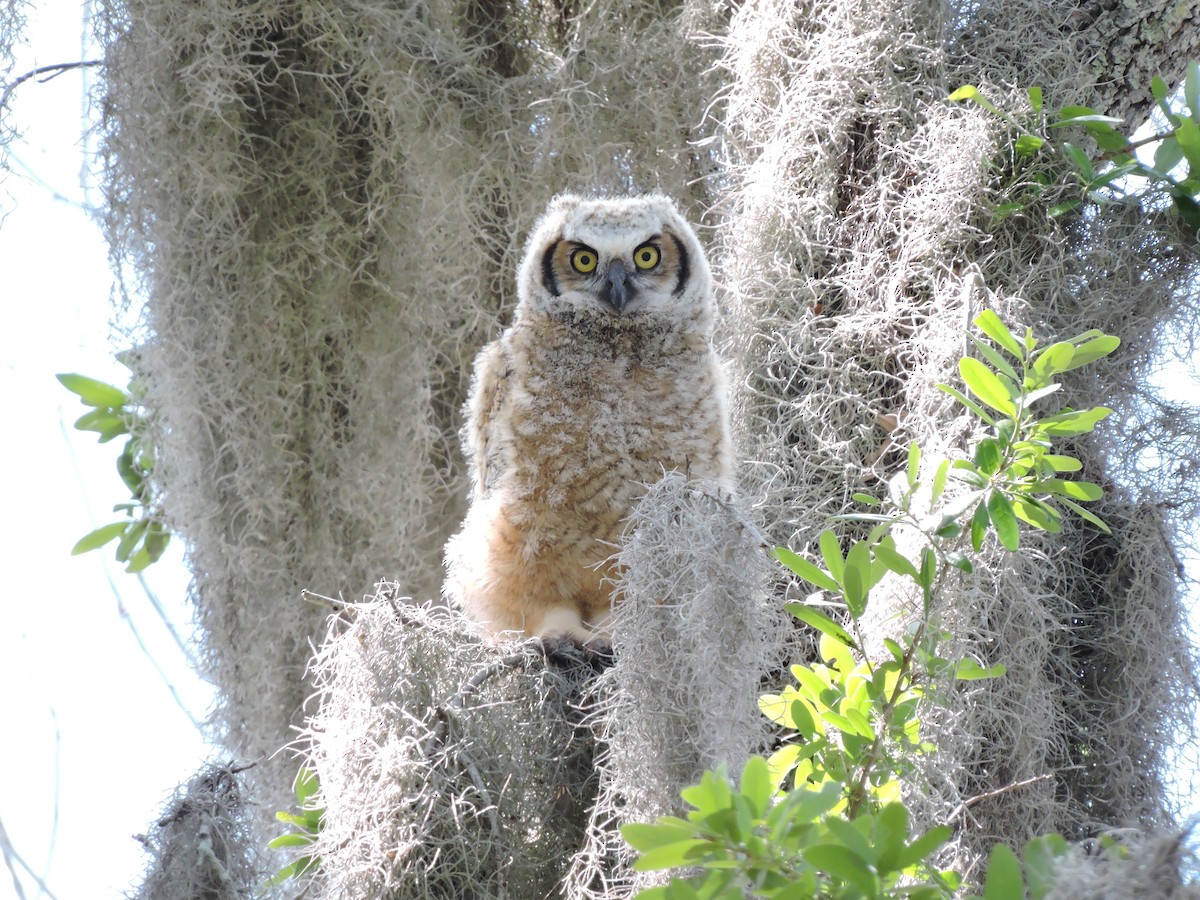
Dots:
pixel 824 815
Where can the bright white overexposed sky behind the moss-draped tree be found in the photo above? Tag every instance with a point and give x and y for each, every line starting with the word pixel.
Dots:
pixel 94 742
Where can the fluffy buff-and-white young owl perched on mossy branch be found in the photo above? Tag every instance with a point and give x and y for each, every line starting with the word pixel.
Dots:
pixel 605 381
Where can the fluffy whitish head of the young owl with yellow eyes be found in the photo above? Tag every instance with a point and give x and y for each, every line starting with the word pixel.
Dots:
pixel 629 261
